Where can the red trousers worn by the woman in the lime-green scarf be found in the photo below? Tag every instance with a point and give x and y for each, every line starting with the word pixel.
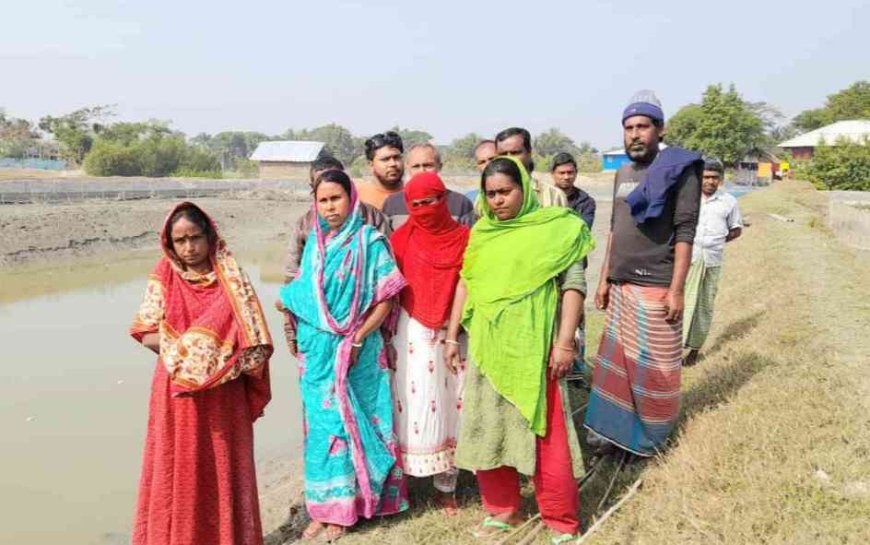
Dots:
pixel 555 486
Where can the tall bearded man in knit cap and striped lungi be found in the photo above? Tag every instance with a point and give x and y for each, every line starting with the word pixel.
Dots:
pixel 635 397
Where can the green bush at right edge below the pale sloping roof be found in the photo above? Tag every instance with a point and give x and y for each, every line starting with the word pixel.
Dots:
pixel 842 166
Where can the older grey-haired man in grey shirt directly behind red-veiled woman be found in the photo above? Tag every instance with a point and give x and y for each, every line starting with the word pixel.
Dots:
pixel 425 158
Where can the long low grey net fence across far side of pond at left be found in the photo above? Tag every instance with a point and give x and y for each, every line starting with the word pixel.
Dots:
pixel 66 190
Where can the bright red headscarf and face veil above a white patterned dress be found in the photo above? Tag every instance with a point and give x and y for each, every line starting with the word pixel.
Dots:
pixel 429 248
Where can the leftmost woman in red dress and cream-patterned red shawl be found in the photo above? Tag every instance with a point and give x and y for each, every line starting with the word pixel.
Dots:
pixel 203 319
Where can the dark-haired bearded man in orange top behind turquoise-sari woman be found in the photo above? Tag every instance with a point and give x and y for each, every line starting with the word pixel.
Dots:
pixel 384 153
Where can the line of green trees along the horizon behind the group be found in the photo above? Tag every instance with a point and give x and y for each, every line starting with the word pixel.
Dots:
pixel 721 124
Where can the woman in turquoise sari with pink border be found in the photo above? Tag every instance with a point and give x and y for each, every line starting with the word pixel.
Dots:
pixel 340 298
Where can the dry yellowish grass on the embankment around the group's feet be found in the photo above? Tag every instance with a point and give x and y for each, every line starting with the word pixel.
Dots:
pixel 774 441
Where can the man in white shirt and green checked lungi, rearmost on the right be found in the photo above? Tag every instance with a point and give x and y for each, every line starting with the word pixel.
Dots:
pixel 719 222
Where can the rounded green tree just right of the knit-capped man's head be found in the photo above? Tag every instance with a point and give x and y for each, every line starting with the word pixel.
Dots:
pixel 723 125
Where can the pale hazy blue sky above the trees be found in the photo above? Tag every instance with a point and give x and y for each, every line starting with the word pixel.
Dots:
pixel 449 67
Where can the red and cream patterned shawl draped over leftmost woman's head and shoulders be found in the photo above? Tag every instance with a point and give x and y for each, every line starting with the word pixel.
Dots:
pixel 212 328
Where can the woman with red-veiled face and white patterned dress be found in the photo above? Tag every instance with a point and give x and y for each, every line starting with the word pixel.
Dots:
pixel 427 394
